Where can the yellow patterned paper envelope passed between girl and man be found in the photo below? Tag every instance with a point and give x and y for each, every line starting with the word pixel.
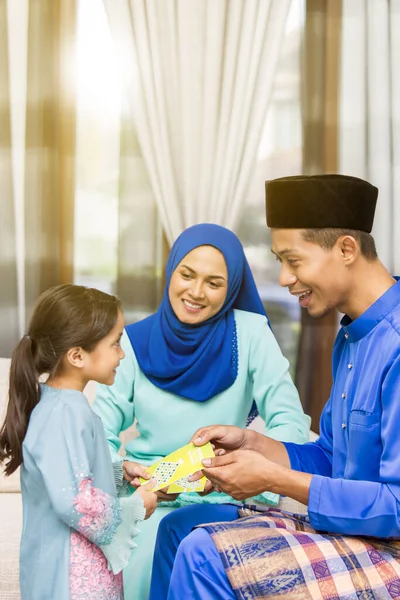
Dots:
pixel 177 466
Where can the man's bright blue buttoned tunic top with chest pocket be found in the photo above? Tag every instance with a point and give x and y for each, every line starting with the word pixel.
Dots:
pixel 356 461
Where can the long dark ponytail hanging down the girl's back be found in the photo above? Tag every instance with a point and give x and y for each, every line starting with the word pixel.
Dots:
pixel 24 394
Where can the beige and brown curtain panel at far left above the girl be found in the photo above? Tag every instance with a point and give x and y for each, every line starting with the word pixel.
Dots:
pixel 37 154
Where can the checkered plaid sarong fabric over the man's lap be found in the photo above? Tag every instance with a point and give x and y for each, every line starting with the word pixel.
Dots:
pixel 276 553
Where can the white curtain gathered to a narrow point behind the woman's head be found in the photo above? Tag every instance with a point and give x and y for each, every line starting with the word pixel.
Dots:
pixel 198 75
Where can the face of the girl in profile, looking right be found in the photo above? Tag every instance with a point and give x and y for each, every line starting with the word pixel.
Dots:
pixel 101 364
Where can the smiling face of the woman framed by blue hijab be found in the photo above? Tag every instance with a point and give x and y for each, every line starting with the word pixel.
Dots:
pixel 199 285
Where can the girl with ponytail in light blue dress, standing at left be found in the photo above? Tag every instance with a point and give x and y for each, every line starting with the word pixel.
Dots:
pixel 77 535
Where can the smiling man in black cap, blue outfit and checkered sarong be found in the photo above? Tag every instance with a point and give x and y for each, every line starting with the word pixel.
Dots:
pixel 349 477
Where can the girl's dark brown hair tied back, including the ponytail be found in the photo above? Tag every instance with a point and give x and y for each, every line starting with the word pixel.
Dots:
pixel 64 317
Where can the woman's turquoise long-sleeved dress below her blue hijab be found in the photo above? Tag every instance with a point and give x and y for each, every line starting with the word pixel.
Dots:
pixel 166 421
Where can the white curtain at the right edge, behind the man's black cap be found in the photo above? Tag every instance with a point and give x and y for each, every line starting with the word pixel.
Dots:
pixel 370 112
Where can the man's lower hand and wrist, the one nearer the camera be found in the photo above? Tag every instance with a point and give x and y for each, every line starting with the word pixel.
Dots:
pixel 245 473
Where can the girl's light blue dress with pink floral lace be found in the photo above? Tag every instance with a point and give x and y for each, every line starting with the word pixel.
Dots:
pixel 77 534
